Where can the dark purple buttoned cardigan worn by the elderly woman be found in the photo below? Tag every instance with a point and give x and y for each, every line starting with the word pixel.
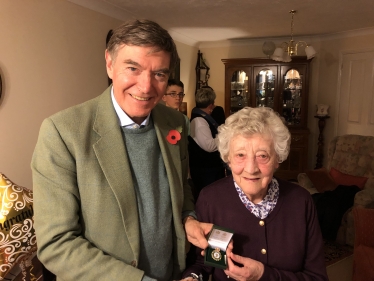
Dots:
pixel 290 234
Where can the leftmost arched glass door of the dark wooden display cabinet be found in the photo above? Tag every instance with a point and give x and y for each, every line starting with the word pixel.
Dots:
pixel 239 95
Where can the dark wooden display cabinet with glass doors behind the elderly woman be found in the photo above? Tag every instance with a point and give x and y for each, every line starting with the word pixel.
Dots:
pixel 282 86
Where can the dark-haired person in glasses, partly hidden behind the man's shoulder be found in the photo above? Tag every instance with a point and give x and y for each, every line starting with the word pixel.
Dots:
pixel 174 97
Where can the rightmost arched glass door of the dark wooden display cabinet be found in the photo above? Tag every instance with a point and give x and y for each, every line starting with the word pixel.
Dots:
pixel 292 97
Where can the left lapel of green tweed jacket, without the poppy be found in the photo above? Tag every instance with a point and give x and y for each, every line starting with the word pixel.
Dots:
pixel 111 154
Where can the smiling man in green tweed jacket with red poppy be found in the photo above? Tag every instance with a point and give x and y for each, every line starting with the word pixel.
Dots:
pixel 110 185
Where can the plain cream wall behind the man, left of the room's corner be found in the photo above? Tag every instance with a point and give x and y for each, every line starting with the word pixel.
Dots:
pixel 52 57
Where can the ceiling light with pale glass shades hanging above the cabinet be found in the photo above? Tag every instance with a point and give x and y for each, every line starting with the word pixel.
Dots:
pixel 289 49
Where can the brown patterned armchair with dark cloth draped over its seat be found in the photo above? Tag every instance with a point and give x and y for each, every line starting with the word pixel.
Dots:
pixel 350 158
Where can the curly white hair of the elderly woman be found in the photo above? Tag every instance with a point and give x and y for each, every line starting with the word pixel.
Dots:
pixel 249 121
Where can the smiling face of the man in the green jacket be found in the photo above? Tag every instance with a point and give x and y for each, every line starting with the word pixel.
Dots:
pixel 139 77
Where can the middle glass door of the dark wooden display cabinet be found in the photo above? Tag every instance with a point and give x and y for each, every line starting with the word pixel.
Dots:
pixel 264 87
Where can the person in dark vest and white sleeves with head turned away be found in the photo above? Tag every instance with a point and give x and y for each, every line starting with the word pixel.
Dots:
pixel 205 163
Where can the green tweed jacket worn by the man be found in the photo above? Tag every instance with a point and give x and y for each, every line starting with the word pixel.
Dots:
pixel 86 217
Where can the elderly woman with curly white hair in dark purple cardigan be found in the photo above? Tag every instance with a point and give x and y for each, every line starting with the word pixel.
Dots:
pixel 275 225
